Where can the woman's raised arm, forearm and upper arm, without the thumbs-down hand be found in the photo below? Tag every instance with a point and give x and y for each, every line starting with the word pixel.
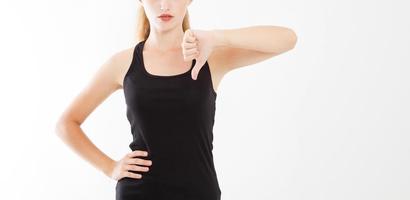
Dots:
pixel 239 47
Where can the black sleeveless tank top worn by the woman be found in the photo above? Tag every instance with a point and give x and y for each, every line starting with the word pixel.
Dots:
pixel 172 118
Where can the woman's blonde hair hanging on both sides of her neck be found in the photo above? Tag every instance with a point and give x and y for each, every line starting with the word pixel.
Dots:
pixel 143 27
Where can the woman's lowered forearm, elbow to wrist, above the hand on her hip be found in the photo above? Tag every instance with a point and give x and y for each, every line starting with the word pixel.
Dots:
pixel 72 134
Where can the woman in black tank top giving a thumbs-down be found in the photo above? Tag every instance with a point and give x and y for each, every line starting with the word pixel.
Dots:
pixel 170 78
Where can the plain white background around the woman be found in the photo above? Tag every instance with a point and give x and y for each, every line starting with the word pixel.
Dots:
pixel 326 120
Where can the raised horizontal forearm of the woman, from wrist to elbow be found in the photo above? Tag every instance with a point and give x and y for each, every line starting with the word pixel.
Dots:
pixel 262 38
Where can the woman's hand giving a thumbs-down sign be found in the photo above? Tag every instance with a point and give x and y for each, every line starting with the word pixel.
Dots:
pixel 198 45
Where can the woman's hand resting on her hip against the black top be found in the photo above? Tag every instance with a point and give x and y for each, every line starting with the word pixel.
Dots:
pixel 121 168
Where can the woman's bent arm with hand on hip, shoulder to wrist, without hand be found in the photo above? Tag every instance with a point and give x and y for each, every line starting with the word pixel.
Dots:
pixel 103 84
